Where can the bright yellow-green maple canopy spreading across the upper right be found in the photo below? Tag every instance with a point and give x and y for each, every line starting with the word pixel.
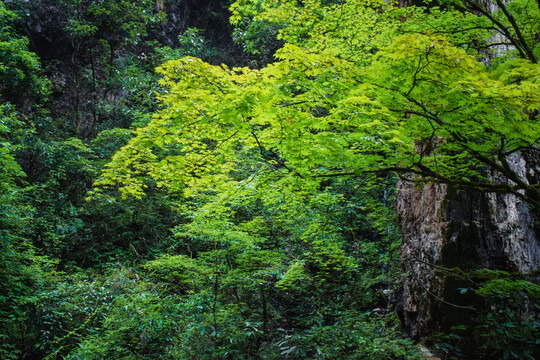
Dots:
pixel 338 104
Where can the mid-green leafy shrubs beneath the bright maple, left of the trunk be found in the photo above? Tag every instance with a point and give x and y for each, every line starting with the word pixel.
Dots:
pixel 269 275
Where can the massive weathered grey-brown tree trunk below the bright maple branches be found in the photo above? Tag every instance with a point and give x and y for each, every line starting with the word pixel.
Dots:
pixel 444 227
